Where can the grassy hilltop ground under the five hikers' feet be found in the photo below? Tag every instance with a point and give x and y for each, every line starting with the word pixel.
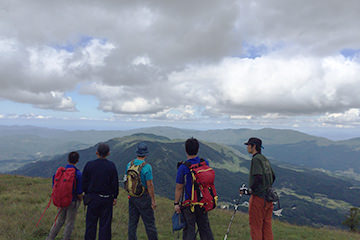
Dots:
pixel 22 200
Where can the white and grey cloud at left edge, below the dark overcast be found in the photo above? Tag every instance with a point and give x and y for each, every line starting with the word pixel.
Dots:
pixel 41 75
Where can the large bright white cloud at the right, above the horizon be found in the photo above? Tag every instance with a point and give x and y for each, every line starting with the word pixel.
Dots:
pixel 272 84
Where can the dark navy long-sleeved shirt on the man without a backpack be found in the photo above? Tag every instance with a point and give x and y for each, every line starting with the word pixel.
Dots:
pixel 101 177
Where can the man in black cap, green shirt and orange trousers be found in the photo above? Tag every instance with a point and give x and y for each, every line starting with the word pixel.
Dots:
pixel 261 178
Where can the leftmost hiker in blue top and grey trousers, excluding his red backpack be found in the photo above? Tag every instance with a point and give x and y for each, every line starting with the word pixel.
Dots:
pixel 67 215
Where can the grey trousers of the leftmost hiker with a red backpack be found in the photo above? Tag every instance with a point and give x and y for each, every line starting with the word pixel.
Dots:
pixel 67 215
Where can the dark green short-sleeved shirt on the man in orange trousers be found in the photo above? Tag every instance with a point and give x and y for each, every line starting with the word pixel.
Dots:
pixel 260 165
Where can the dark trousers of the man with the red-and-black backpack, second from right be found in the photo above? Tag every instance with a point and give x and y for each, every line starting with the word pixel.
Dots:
pixel 201 219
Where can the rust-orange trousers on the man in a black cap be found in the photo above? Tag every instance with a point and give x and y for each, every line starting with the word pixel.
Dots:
pixel 260 214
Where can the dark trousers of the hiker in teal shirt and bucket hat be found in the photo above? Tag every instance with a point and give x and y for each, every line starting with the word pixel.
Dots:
pixel 141 207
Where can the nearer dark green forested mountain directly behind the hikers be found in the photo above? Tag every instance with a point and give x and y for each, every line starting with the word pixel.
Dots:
pixel 308 197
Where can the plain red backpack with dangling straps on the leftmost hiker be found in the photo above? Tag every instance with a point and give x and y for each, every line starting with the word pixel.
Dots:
pixel 62 193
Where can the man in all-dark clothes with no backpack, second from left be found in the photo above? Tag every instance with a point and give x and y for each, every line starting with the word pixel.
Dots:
pixel 101 187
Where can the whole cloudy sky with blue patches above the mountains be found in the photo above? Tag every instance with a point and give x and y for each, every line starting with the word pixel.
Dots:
pixel 190 64
